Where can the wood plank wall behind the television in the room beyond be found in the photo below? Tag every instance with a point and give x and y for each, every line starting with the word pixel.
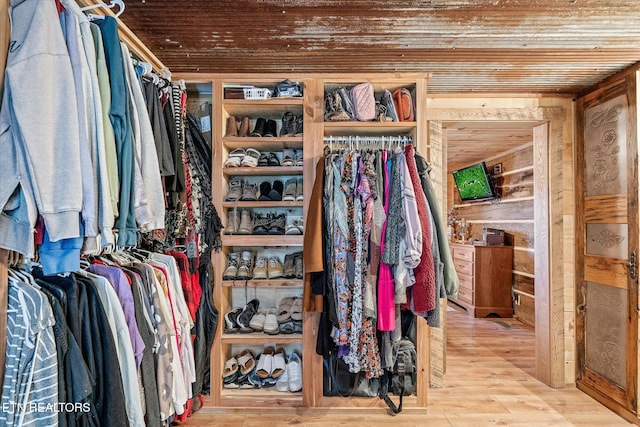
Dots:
pixel 513 213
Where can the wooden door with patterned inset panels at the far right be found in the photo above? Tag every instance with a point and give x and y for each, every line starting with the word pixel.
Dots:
pixel 607 246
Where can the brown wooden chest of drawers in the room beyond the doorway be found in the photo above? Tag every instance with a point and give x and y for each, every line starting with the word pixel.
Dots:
pixel 484 274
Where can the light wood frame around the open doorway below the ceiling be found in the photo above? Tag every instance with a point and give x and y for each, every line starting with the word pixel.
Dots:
pixel 549 132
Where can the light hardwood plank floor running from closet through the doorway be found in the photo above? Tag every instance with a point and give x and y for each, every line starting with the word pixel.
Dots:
pixel 489 381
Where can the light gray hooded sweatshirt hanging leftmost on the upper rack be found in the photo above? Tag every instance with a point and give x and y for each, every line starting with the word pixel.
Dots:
pixel 39 141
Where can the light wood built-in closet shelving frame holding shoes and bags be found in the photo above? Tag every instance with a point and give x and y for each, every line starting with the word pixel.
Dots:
pixel 229 294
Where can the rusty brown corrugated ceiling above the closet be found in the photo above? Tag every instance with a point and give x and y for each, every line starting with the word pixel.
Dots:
pixel 482 46
